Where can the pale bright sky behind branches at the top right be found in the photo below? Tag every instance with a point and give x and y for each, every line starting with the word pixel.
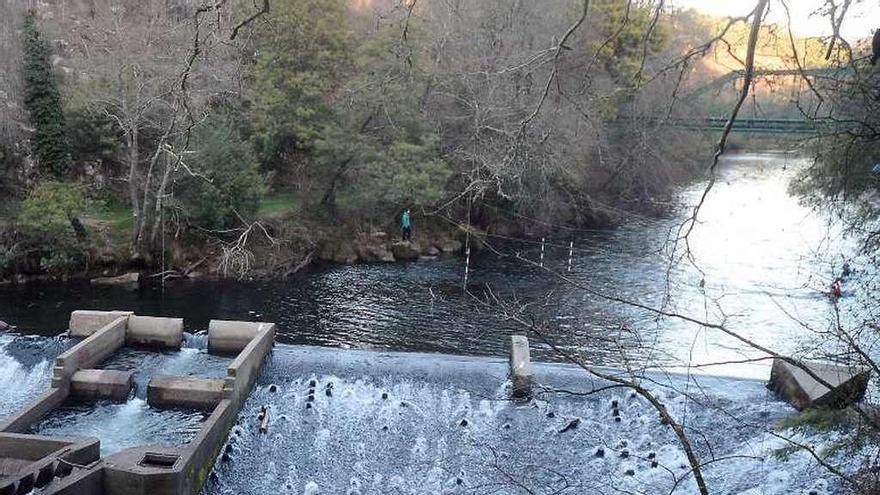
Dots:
pixel 862 17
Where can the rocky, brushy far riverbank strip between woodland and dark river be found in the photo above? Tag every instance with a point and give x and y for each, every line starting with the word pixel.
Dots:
pixel 281 240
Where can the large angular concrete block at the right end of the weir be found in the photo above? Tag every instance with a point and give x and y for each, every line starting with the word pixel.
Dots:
pixel 848 384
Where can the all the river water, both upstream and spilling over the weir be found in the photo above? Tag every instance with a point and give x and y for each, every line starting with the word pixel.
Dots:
pixel 430 423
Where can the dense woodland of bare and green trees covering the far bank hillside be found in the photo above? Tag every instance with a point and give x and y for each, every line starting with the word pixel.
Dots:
pixel 267 134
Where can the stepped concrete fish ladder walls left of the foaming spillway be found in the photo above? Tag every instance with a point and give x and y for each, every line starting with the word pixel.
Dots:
pixel 73 465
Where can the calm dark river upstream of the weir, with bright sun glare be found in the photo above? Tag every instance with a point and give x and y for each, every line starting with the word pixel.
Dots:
pixel 762 257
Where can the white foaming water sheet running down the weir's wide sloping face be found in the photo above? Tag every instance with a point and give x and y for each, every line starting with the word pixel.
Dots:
pixel 360 422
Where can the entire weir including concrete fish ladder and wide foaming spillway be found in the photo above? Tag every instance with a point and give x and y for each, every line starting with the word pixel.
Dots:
pixel 321 420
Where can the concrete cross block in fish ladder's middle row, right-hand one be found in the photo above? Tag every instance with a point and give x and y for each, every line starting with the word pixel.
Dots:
pixel 186 392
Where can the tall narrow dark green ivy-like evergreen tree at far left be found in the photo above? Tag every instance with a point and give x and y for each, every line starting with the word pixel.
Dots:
pixel 43 102
